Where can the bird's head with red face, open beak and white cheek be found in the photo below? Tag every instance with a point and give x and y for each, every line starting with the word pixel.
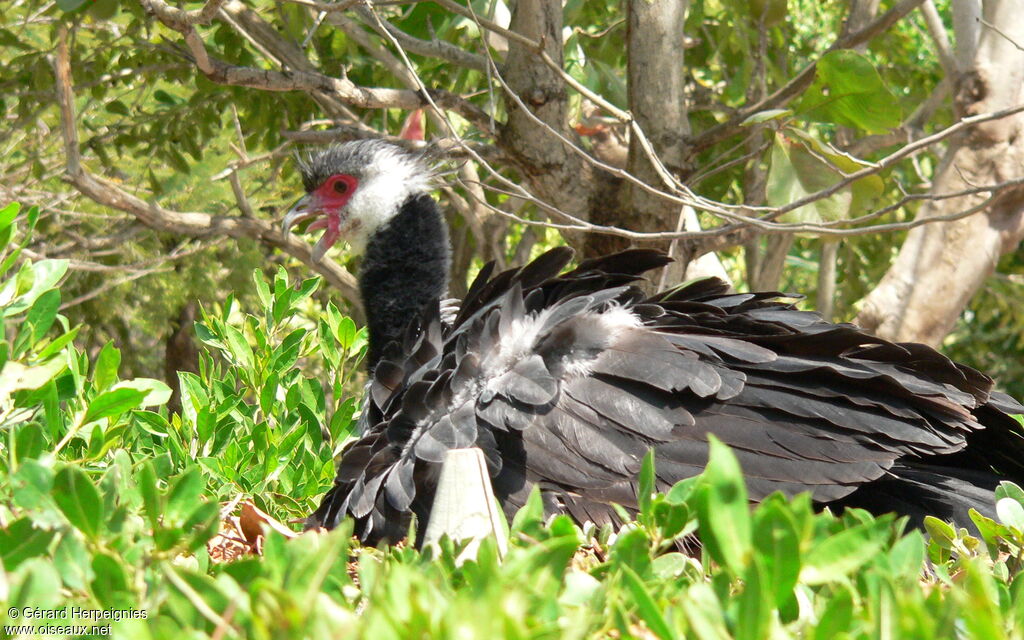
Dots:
pixel 355 189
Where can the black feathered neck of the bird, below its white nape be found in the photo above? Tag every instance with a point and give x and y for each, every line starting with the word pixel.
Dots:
pixel 405 268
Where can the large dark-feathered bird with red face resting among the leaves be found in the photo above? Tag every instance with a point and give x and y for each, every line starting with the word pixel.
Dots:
pixel 566 378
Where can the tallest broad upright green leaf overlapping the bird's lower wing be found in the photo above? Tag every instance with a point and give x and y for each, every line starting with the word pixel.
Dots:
pixel 723 510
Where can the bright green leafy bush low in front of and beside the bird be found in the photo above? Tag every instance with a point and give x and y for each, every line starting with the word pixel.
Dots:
pixel 108 503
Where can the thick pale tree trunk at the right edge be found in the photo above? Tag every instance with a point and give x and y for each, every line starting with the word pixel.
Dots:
pixel 943 265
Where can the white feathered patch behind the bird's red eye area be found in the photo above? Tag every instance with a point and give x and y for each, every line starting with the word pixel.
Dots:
pixel 388 183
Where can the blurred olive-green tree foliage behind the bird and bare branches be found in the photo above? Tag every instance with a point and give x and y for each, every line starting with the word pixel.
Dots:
pixel 150 122
